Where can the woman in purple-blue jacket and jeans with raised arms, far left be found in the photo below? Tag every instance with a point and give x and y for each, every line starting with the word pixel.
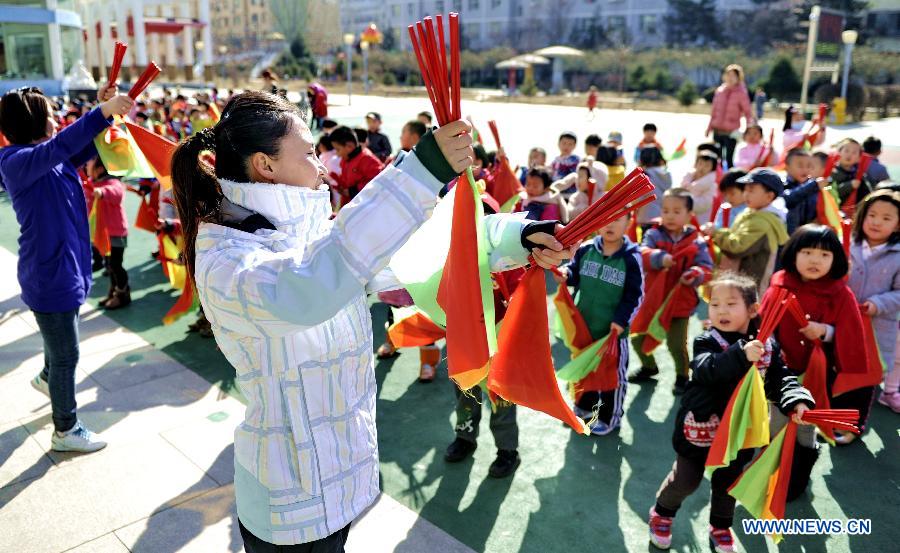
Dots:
pixel 38 170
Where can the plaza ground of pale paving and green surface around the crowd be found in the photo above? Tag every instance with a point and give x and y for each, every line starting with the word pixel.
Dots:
pixel 166 402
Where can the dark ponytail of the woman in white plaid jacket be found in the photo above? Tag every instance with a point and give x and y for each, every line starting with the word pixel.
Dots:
pixel 195 188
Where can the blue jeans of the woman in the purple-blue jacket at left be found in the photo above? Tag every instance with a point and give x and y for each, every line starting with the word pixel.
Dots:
pixel 60 334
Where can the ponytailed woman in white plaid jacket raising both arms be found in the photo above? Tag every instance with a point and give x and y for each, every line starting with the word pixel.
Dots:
pixel 284 287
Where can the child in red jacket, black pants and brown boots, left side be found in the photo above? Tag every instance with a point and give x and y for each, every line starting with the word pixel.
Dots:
pixel 109 193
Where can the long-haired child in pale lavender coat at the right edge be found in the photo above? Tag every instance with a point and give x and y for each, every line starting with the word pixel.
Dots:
pixel 875 278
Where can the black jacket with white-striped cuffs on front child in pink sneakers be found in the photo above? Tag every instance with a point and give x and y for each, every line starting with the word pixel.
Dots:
pixel 716 374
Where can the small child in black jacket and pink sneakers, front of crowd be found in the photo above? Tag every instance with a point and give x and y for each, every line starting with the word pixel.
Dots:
pixel 722 356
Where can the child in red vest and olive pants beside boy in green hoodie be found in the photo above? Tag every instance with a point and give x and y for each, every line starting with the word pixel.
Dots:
pixel 677 261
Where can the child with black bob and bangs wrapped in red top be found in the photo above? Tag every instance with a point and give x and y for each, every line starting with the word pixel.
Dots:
pixel 830 348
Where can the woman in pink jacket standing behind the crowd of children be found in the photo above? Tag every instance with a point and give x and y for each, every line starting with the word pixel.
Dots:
pixel 730 103
